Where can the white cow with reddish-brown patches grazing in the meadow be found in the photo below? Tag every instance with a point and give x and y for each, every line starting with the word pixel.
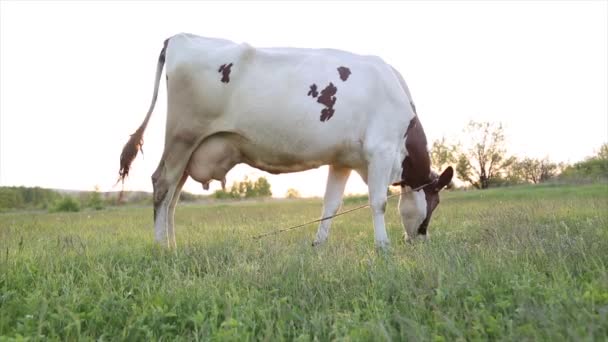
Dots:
pixel 287 110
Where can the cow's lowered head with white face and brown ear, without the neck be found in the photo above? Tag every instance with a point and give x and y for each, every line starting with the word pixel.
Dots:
pixel 416 205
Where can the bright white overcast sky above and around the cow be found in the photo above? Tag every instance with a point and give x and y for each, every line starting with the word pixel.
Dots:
pixel 76 78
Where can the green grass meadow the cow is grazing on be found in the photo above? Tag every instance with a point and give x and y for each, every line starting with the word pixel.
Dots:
pixel 524 263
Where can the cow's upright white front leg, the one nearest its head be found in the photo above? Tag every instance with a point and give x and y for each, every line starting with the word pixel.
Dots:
pixel 378 181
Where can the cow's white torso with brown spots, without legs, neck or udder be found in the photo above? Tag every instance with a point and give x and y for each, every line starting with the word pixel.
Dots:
pixel 288 103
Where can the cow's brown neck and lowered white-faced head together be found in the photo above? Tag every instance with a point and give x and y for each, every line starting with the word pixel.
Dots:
pixel 419 186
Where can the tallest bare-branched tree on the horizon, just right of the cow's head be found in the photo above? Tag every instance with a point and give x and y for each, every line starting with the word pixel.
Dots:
pixel 485 158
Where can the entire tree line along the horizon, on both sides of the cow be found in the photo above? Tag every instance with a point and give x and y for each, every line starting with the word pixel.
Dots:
pixel 481 162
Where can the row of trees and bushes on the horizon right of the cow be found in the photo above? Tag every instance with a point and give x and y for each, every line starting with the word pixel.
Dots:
pixel 483 161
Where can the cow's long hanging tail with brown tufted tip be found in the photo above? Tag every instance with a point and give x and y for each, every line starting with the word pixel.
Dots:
pixel 136 141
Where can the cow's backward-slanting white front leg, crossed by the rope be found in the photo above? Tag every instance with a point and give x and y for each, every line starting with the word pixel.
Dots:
pixel 336 181
